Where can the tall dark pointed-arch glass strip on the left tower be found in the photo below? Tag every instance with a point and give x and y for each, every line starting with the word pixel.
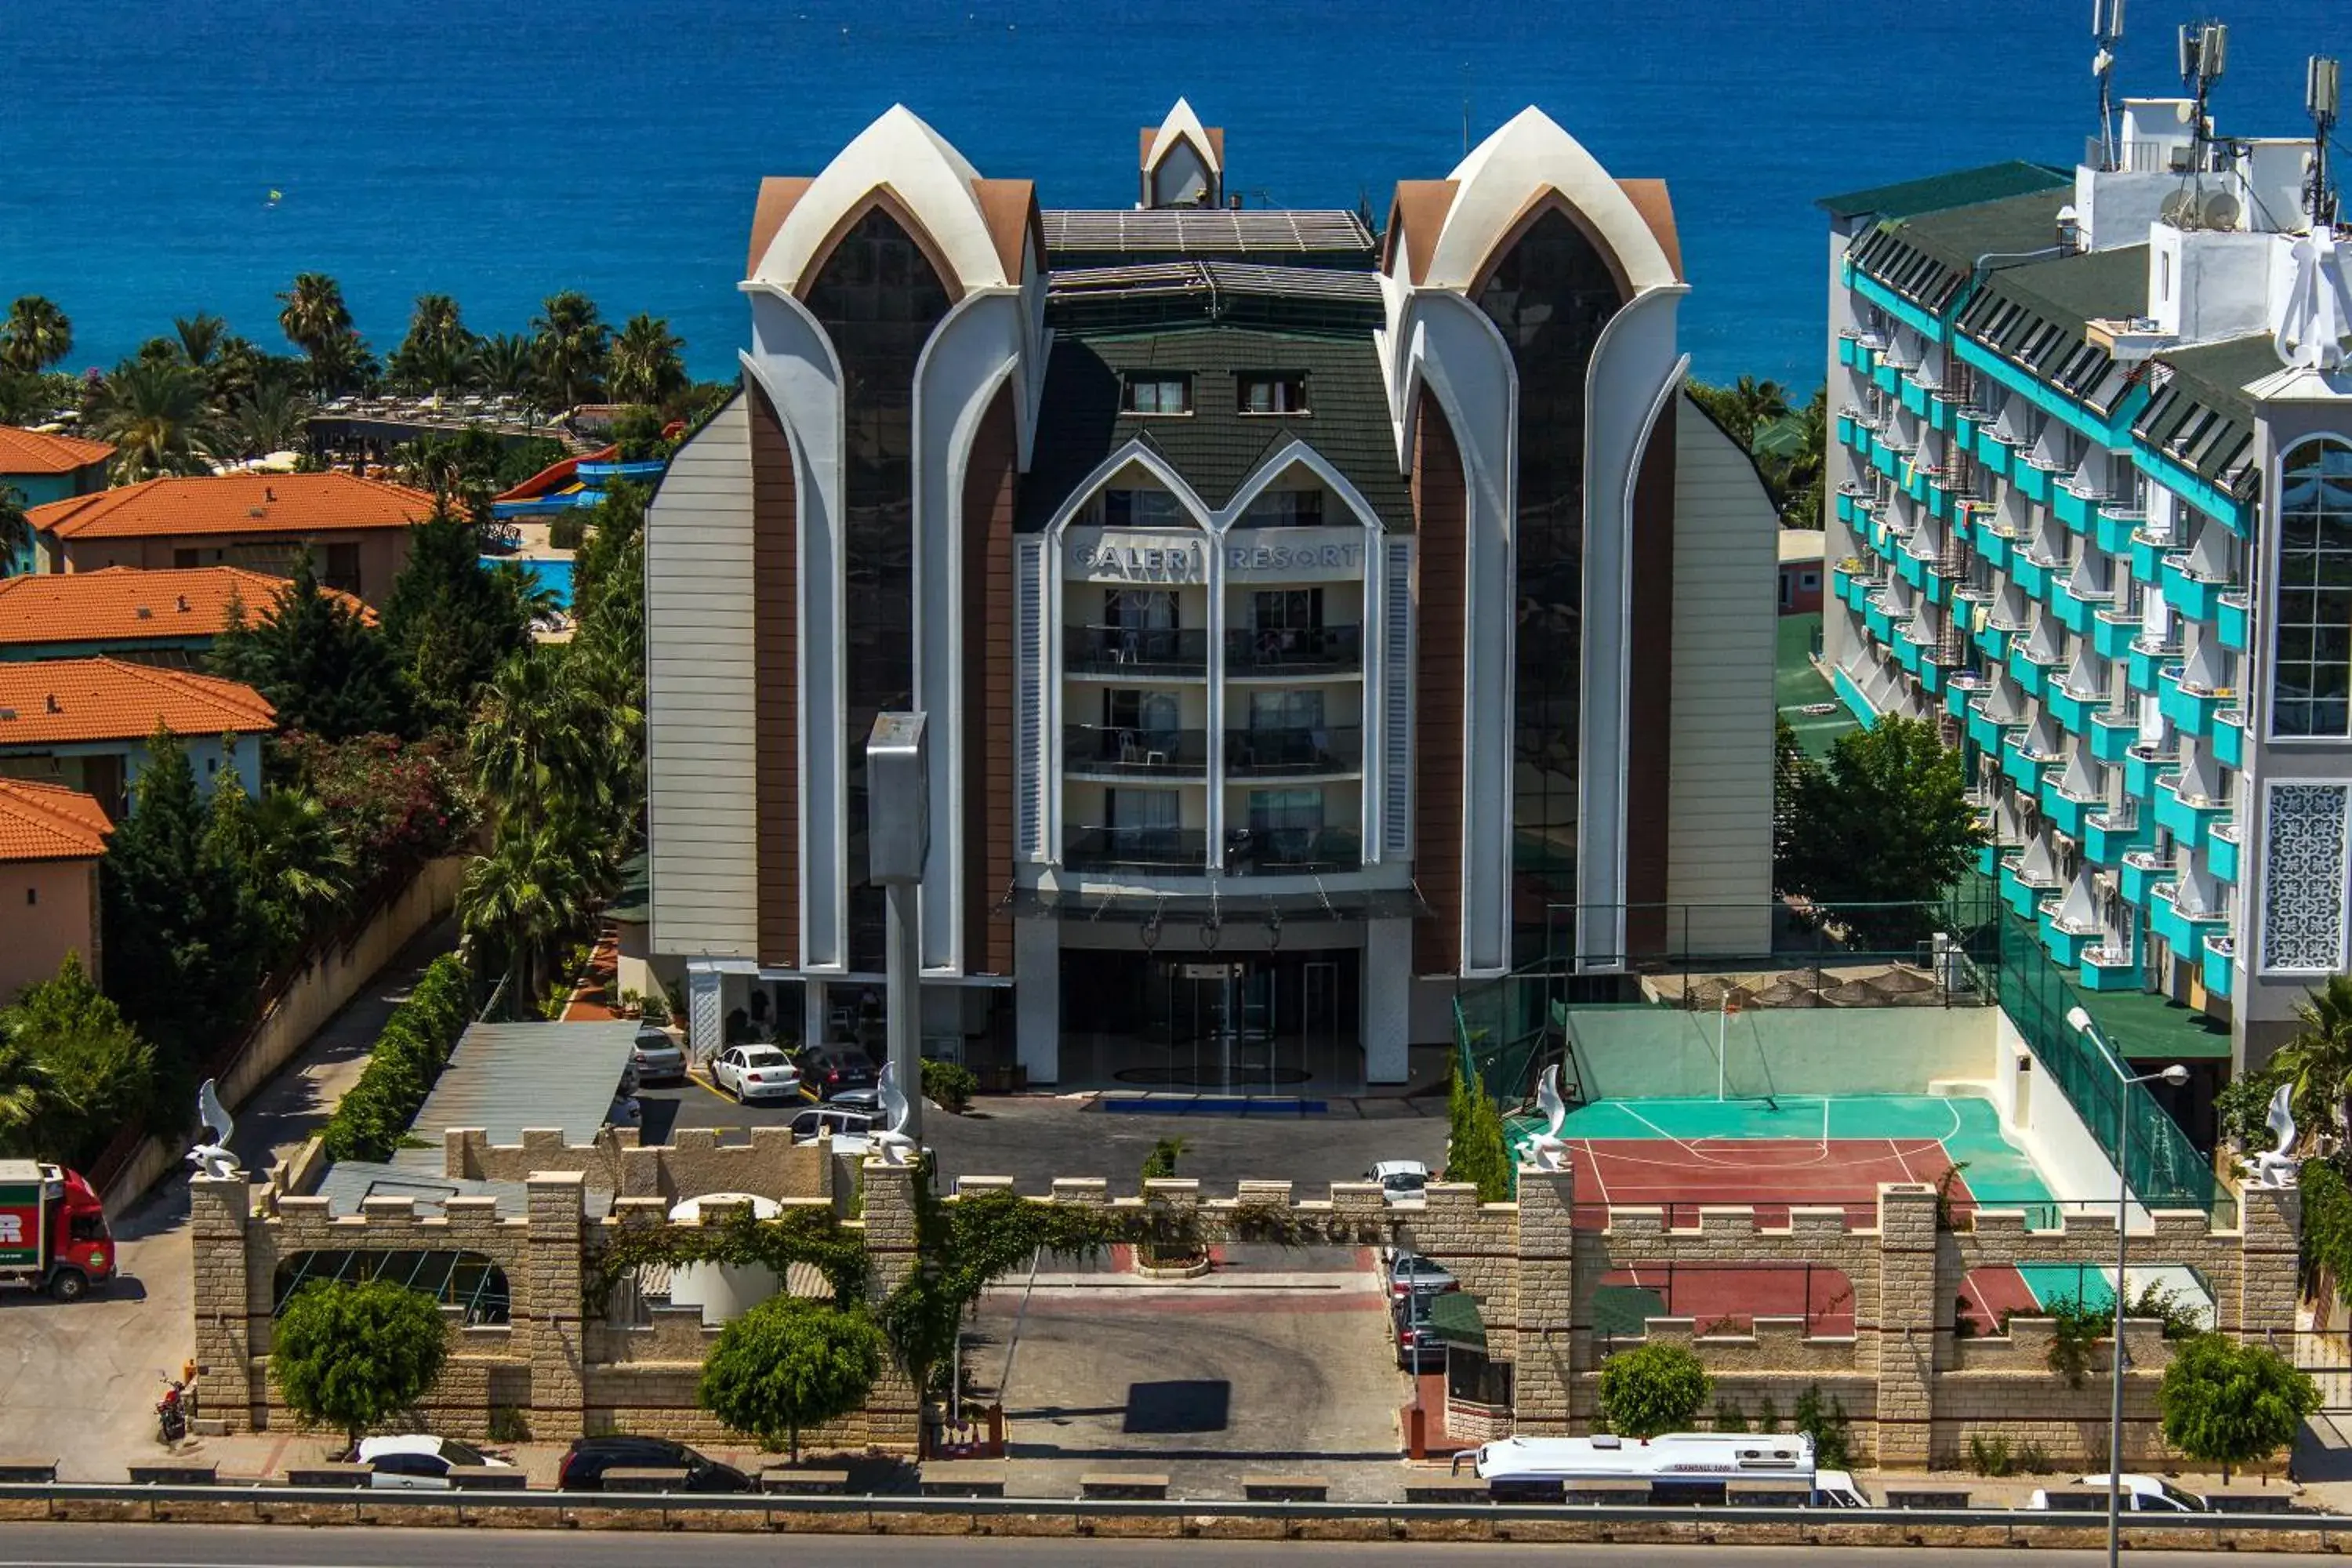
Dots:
pixel 878 300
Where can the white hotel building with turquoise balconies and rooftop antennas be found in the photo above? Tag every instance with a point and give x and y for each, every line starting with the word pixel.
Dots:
pixel 2092 511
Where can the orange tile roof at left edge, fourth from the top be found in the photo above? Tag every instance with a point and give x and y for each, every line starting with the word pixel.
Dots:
pixel 105 699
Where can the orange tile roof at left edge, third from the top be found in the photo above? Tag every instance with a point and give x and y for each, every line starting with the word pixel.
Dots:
pixel 126 603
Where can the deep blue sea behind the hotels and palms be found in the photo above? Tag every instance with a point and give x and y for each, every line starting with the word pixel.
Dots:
pixel 507 149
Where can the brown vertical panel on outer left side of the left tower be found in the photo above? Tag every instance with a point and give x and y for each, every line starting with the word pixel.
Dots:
pixel 775 540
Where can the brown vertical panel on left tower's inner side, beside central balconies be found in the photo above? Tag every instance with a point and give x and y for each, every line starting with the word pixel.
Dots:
pixel 991 481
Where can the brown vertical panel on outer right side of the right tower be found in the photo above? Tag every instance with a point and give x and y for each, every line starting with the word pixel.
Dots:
pixel 1650 692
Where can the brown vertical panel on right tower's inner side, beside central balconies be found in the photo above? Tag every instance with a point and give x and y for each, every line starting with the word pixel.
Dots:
pixel 1443 523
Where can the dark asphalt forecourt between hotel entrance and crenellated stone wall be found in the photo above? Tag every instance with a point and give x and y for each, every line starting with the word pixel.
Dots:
pixel 1034 1139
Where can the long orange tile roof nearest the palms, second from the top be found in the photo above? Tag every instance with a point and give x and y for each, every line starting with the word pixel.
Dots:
pixel 236 504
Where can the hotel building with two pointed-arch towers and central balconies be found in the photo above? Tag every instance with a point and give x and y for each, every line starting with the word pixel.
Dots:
pixel 1309 619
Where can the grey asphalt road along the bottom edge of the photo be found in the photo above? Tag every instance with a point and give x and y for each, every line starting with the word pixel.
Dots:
pixel 27 1546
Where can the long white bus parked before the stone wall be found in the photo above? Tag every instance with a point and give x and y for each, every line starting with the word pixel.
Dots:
pixel 1681 1466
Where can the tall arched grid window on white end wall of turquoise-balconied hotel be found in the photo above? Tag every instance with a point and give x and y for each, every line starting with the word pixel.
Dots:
pixel 2311 688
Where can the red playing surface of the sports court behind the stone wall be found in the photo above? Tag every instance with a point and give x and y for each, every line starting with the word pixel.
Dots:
pixel 1770 1177
